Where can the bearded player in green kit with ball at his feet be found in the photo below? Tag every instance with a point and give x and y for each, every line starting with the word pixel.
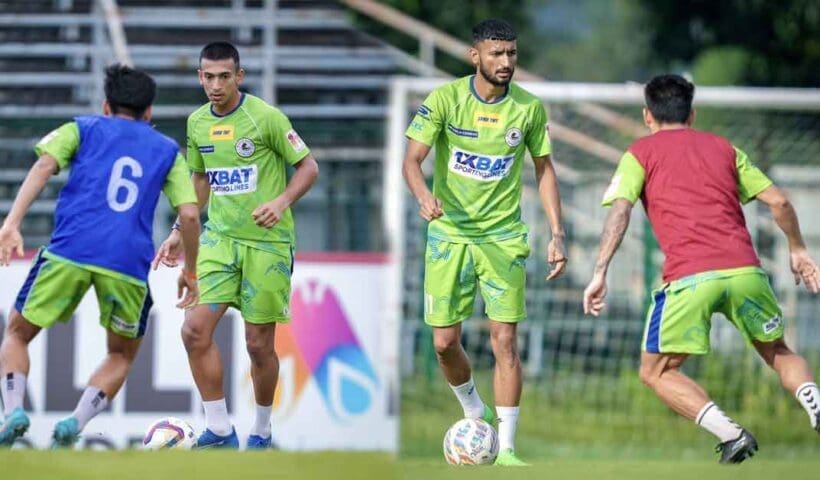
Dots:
pixel 481 126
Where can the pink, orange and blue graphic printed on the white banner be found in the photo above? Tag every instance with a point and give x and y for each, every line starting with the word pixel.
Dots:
pixel 321 344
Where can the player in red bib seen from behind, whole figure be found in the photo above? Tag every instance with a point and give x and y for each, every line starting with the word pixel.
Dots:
pixel 692 185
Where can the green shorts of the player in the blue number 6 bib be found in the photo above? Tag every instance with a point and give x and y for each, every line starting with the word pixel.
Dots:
pixel 55 286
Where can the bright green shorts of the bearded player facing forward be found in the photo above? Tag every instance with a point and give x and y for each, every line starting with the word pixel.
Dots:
pixel 453 270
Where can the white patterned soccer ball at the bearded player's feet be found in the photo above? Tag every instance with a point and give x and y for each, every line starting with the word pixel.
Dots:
pixel 470 441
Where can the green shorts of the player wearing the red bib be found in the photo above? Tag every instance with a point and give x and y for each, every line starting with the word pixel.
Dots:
pixel 679 319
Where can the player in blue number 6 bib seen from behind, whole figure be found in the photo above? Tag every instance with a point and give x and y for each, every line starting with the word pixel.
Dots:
pixel 102 237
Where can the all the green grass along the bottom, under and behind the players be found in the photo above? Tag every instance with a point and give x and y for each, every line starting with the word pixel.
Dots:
pixel 570 428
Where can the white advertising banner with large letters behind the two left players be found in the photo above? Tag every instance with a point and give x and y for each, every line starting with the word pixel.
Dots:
pixel 337 387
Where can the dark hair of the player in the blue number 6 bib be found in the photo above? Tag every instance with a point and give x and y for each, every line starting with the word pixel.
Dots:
pixel 128 91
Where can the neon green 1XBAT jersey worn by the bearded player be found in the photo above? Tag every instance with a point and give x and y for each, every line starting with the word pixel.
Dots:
pixel 480 150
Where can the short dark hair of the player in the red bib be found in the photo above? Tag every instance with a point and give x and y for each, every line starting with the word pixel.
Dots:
pixel 669 98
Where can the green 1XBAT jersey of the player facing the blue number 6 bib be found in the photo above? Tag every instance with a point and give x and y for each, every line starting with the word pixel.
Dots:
pixel 244 154
